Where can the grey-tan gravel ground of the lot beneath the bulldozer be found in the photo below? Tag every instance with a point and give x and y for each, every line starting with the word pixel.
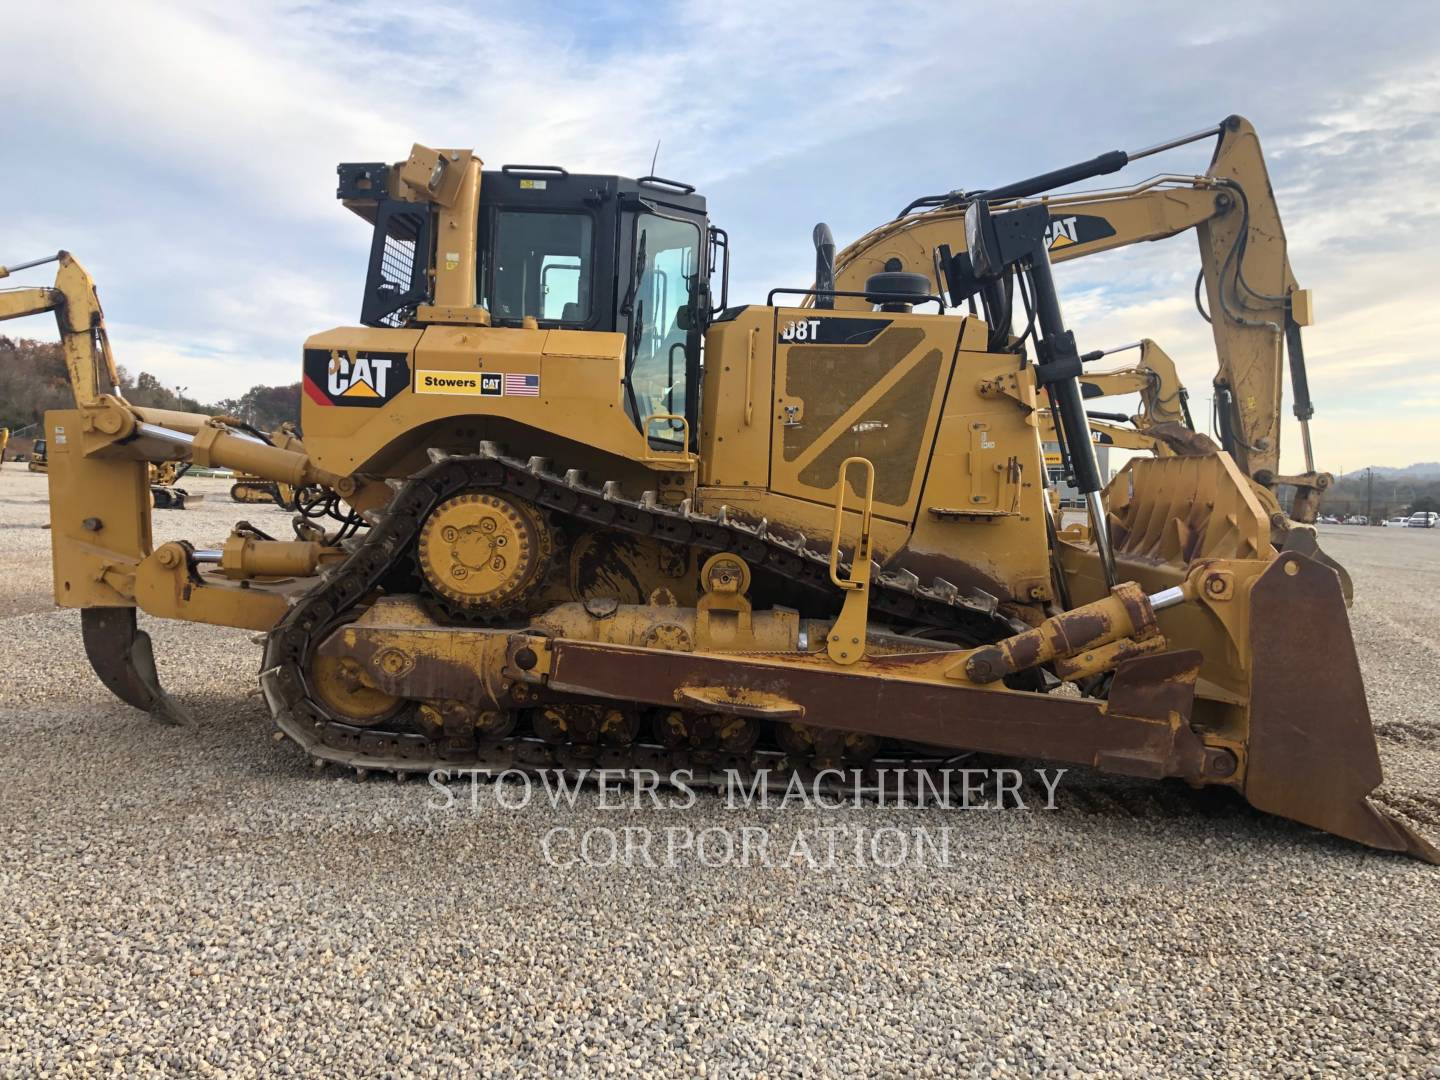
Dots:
pixel 202 902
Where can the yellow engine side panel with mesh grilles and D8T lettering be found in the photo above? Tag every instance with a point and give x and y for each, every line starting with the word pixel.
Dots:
pixel 859 385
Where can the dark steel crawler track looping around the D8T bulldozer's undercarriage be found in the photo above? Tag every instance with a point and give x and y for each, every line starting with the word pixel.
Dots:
pixel 346 588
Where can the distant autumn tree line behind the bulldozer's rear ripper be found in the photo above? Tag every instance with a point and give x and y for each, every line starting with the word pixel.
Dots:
pixel 34 379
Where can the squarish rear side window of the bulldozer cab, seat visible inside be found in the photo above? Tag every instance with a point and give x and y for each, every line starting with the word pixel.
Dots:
pixel 539 264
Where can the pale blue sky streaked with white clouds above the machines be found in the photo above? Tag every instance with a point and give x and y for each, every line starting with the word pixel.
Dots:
pixel 186 153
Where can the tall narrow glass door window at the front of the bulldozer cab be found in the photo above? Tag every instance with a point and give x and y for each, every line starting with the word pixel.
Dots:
pixel 667 257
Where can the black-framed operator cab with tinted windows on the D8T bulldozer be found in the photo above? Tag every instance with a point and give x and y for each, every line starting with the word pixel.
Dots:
pixel 568 251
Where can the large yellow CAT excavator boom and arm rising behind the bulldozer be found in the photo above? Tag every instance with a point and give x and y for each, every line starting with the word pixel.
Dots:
pixel 1251 296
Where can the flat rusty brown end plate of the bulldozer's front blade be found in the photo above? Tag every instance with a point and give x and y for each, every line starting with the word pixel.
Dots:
pixel 1313 754
